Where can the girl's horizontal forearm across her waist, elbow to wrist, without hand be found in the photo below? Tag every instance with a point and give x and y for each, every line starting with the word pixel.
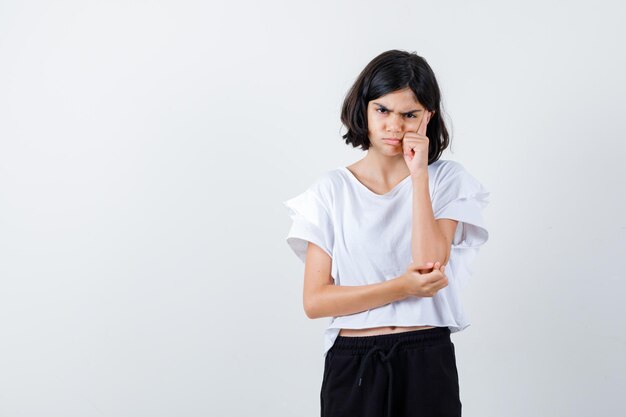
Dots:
pixel 341 300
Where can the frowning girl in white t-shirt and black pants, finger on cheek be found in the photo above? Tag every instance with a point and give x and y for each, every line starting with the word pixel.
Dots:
pixel 388 243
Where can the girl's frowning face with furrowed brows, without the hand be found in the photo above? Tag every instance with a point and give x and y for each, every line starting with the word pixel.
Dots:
pixel 390 116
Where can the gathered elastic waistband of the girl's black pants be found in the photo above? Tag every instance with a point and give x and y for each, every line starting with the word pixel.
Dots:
pixel 413 338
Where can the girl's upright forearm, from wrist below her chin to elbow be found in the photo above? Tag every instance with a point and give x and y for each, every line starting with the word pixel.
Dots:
pixel 428 243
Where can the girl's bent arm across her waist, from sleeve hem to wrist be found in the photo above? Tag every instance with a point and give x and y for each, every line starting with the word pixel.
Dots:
pixel 324 299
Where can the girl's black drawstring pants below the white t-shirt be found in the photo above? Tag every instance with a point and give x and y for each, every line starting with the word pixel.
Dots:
pixel 393 375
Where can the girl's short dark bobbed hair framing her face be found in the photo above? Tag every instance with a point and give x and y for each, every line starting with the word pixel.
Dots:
pixel 392 71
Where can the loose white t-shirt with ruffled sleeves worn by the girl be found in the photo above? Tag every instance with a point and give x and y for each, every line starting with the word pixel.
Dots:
pixel 368 237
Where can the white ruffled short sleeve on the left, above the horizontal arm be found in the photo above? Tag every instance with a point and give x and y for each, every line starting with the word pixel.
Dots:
pixel 311 222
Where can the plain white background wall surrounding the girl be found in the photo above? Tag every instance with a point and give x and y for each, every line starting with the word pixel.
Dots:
pixel 145 149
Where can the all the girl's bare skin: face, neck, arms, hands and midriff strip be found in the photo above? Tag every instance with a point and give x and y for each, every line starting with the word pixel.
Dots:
pixel 395 115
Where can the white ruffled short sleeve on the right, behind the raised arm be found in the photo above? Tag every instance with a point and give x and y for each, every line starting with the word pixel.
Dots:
pixel 460 196
